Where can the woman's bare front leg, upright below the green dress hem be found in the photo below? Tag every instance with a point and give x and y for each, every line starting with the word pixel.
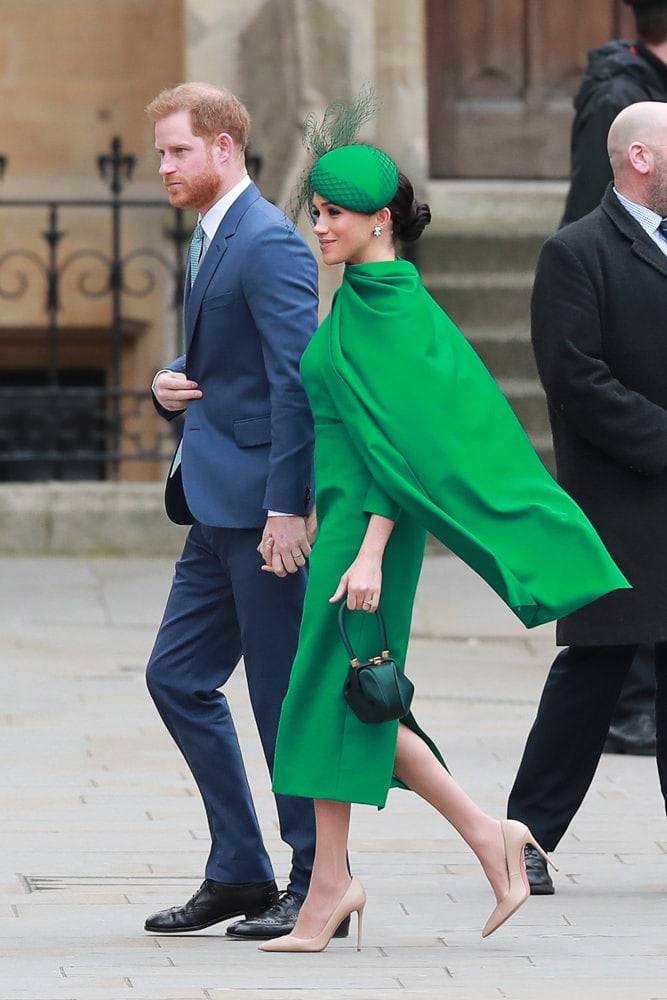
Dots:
pixel 331 876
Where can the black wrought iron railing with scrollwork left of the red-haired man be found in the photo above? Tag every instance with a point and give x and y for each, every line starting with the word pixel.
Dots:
pixel 60 418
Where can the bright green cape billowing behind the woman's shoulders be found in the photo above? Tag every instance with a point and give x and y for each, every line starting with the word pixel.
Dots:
pixel 441 440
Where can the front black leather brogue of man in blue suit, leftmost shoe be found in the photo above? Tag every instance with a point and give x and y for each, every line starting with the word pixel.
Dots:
pixel 213 902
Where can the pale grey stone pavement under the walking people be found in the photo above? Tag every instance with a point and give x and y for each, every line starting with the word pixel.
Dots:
pixel 101 824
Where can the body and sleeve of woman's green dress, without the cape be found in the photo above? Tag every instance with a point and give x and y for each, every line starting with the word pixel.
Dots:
pixel 325 751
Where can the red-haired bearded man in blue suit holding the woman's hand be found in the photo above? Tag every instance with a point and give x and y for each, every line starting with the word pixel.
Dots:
pixel 246 473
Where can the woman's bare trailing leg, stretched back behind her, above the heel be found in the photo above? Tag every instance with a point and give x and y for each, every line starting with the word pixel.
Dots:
pixel 417 768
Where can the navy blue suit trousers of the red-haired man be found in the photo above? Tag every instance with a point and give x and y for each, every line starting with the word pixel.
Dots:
pixel 223 607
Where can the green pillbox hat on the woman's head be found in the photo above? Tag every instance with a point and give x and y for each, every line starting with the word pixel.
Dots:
pixel 361 178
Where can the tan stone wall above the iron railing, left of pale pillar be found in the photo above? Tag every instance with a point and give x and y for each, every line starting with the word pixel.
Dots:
pixel 73 73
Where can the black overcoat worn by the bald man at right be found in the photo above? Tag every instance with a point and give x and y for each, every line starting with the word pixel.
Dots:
pixel 599 330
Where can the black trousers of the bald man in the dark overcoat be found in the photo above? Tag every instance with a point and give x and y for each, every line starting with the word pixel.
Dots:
pixel 565 743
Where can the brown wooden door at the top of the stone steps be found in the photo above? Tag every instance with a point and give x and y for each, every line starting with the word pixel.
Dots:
pixel 501 76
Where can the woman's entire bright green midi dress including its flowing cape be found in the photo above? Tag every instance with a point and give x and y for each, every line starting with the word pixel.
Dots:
pixel 409 424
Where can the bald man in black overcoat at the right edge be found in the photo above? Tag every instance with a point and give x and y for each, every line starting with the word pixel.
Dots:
pixel 599 329
